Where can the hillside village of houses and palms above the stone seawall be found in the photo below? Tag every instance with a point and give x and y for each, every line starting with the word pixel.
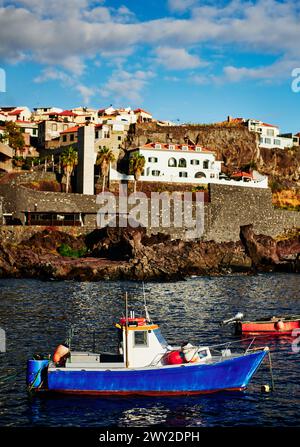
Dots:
pixel 88 151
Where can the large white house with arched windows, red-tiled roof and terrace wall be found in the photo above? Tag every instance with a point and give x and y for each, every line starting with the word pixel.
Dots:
pixel 183 163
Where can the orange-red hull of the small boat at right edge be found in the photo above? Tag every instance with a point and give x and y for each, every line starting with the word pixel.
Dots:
pixel 267 327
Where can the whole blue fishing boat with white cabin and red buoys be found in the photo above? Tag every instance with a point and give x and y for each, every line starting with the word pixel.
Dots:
pixel 144 364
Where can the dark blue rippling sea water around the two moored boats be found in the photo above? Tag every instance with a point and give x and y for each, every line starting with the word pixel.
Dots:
pixel 36 316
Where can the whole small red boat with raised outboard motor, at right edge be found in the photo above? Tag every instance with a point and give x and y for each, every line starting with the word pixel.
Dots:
pixel 282 325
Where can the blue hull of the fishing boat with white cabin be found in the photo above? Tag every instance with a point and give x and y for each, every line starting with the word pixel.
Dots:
pixel 232 374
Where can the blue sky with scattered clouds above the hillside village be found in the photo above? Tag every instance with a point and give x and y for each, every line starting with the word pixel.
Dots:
pixel 185 60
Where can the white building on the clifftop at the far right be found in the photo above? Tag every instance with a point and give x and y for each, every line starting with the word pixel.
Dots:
pixel 270 136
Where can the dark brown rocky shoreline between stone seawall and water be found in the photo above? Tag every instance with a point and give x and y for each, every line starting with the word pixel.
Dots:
pixel 131 254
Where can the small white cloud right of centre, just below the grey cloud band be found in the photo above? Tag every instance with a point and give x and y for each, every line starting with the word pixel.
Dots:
pixel 177 58
